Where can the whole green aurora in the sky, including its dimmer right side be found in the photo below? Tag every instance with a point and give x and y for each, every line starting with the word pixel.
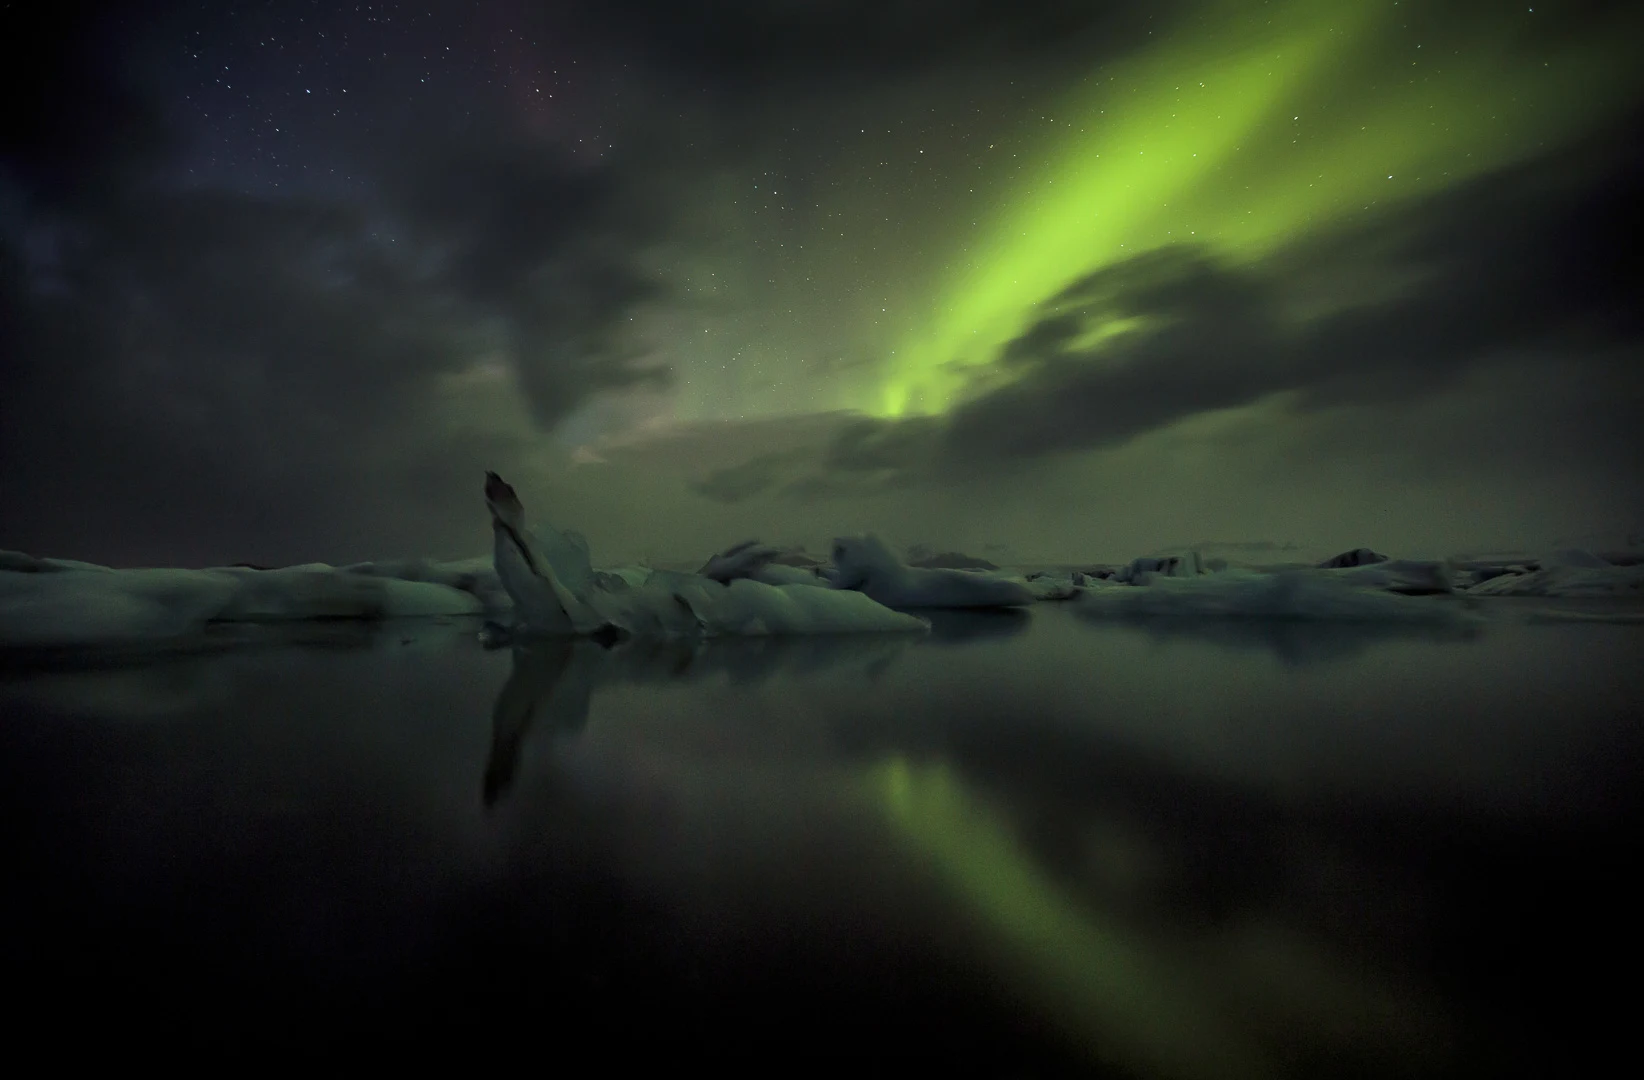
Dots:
pixel 1247 131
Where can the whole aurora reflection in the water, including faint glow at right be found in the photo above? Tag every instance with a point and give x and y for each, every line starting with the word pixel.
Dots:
pixel 1117 989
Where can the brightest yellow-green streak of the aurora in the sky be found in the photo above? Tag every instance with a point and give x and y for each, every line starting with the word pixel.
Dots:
pixel 1152 132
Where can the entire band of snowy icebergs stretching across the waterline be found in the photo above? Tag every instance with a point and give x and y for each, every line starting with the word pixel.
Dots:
pixel 550 586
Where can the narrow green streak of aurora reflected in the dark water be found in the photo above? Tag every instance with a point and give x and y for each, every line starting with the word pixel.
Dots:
pixel 1117 999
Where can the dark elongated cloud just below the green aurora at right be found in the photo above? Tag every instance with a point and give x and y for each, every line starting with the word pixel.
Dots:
pixel 1541 257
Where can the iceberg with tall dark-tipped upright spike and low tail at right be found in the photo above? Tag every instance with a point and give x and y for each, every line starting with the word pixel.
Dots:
pixel 556 593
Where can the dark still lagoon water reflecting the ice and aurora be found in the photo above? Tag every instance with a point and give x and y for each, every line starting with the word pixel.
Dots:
pixel 1020 847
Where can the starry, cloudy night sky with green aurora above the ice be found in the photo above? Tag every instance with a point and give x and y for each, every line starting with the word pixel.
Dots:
pixel 1048 279
